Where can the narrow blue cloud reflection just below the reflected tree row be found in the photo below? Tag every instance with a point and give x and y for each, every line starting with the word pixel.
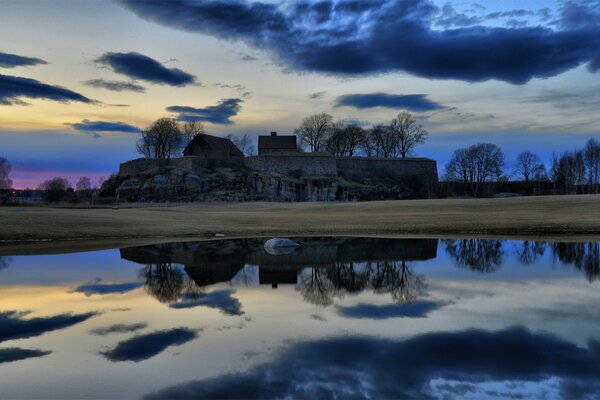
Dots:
pixel 417 309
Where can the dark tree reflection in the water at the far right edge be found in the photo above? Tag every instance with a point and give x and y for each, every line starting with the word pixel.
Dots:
pixel 584 256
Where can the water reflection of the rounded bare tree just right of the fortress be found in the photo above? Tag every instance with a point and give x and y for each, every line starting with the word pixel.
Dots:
pixel 483 255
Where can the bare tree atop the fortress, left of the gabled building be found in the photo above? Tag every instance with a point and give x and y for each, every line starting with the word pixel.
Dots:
pixel 162 139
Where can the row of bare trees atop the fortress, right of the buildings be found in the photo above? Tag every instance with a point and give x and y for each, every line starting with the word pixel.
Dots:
pixel 398 138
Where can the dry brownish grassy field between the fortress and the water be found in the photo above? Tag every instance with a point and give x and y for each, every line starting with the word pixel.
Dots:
pixel 550 216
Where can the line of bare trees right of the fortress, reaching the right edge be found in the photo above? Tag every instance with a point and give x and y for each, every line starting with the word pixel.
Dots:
pixel 575 171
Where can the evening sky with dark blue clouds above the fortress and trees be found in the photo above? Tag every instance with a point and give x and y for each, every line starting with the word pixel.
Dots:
pixel 80 79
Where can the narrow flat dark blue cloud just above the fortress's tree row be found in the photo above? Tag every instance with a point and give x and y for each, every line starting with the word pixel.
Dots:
pixel 412 102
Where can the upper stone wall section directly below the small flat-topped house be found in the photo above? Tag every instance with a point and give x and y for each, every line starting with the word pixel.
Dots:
pixel 301 164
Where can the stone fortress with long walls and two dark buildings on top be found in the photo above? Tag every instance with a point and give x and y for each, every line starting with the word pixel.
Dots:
pixel 213 165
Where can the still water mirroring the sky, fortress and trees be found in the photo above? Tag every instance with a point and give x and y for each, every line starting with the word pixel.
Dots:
pixel 337 317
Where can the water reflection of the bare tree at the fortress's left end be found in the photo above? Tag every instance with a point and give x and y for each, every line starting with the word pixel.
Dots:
pixel 163 281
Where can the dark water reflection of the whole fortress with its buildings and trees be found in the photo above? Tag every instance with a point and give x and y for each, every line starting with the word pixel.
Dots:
pixel 334 266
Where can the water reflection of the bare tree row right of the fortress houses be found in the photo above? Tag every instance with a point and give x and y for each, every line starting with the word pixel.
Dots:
pixel 321 286
